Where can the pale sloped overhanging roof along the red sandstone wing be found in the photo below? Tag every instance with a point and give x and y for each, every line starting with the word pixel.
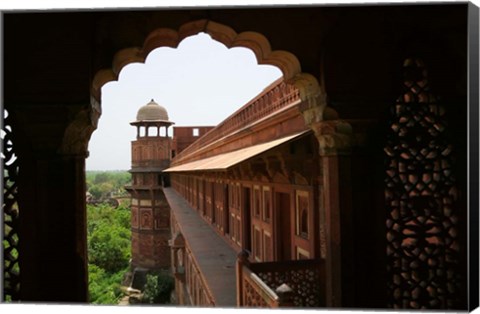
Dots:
pixel 224 161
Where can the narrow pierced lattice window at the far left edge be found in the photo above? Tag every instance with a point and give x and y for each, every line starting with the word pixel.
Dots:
pixel 10 214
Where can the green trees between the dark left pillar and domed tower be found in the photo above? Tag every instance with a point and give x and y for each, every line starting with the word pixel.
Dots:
pixel 109 238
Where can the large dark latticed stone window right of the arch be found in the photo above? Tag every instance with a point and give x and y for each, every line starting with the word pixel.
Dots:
pixel 421 197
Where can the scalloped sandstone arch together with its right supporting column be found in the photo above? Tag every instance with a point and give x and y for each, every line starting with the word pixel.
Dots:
pixel 334 136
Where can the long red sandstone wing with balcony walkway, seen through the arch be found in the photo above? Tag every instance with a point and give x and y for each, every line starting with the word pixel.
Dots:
pixel 249 188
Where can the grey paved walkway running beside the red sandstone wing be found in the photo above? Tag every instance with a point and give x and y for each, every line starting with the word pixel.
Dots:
pixel 215 258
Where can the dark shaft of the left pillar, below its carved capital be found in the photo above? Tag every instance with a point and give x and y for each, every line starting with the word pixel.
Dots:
pixel 53 250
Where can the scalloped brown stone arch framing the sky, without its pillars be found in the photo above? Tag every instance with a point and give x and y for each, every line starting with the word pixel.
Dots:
pixel 307 84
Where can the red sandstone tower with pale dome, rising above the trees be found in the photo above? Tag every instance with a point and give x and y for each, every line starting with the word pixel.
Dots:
pixel 151 153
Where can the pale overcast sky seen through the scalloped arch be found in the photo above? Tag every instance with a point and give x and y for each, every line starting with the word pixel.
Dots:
pixel 199 83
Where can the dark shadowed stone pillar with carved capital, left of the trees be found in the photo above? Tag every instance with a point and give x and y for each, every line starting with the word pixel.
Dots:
pixel 51 186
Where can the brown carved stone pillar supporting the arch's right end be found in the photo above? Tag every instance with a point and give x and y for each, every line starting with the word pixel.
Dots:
pixel 335 140
